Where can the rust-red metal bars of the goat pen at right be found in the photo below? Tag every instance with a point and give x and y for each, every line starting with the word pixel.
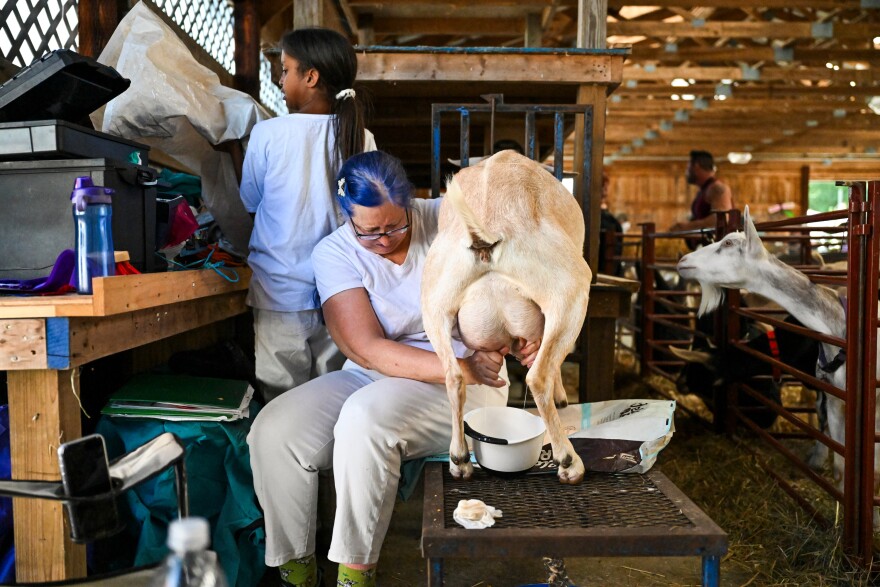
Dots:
pixel 862 238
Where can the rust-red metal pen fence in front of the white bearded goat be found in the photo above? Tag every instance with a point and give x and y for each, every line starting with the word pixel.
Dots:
pixel 667 319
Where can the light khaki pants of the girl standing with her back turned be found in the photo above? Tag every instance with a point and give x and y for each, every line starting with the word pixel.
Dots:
pixel 291 348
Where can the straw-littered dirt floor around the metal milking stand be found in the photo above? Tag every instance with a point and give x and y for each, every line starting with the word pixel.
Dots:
pixel 772 542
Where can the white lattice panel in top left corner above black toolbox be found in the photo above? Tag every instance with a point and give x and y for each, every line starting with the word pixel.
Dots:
pixel 31 28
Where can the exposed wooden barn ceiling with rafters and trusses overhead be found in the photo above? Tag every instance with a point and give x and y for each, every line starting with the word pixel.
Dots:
pixel 796 75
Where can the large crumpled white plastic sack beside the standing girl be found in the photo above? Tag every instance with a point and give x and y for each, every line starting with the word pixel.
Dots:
pixel 179 106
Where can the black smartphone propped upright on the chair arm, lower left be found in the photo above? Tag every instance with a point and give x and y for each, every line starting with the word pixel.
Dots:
pixel 85 472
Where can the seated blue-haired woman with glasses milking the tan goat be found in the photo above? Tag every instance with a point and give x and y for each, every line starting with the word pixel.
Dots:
pixel 388 404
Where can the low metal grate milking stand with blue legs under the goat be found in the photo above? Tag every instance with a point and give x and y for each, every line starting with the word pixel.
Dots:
pixel 606 515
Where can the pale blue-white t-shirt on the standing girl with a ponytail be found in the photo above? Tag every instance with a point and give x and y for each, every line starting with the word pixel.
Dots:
pixel 287 181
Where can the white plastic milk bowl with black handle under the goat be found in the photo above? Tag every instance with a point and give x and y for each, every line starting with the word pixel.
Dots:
pixel 505 440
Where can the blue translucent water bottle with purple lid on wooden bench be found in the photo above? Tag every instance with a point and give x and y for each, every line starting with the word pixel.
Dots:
pixel 92 216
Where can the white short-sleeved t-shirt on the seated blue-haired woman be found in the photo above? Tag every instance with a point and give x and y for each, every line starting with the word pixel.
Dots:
pixel 341 263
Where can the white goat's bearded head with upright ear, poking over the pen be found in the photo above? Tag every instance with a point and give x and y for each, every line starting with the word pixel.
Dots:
pixel 728 263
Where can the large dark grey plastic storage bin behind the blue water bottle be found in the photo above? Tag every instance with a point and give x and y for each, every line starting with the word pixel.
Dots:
pixel 36 222
